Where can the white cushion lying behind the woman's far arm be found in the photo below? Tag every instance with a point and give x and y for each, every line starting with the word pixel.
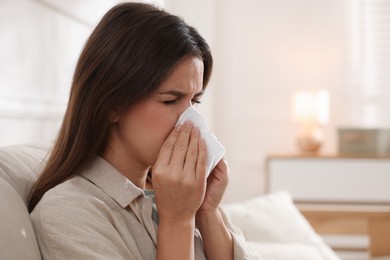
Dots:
pixel 273 218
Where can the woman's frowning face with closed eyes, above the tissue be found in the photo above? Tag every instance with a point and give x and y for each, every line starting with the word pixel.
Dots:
pixel 141 131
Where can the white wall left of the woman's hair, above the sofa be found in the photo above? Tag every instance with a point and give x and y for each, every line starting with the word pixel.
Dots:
pixel 38 51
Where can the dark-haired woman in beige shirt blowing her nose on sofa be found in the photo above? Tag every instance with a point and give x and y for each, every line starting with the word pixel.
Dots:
pixel 139 70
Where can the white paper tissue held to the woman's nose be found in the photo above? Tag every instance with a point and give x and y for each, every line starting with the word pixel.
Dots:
pixel 215 150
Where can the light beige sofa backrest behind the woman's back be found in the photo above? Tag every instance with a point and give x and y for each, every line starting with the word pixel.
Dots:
pixel 18 168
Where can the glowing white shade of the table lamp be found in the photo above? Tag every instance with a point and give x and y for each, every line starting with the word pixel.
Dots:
pixel 311 106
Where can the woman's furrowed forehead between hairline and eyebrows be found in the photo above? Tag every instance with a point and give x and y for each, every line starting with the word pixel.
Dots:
pixel 186 76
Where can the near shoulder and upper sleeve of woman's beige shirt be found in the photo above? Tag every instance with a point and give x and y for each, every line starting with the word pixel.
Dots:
pixel 75 220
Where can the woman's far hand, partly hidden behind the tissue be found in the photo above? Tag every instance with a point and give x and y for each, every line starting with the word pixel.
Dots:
pixel 216 185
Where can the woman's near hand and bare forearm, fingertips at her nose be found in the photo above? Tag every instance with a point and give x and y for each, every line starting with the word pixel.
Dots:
pixel 179 181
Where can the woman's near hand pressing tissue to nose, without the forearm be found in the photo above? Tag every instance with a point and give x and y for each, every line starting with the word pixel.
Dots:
pixel 179 175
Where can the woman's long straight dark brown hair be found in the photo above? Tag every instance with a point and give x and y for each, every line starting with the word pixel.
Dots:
pixel 128 55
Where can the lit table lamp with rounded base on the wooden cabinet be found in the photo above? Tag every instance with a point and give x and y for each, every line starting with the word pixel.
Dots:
pixel 310 110
